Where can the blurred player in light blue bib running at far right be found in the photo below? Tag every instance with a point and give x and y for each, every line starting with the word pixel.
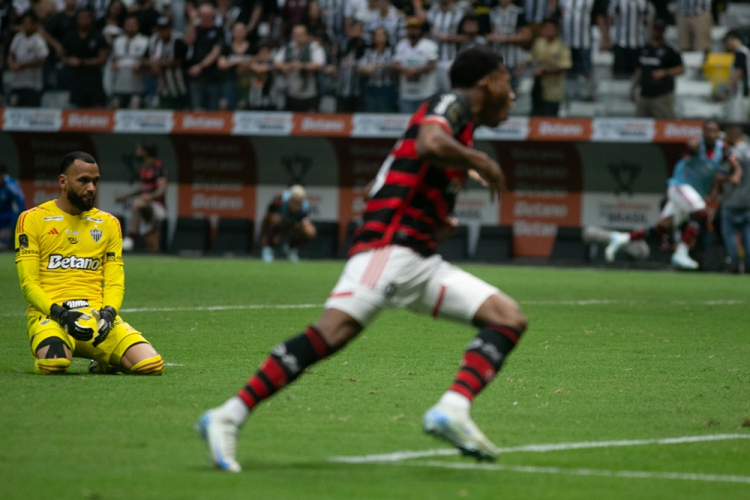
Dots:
pixel 691 181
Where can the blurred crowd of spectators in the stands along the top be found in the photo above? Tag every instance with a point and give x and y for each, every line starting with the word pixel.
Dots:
pixel 341 56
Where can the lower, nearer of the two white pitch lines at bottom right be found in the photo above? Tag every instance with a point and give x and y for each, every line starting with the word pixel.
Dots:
pixel 630 474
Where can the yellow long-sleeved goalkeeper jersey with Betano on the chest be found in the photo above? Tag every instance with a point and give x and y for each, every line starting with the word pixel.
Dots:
pixel 62 257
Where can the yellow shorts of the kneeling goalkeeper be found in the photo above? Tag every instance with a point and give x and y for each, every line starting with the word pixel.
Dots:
pixel 120 339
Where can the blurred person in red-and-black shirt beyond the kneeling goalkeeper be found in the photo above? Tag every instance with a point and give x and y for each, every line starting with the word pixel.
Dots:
pixel 148 209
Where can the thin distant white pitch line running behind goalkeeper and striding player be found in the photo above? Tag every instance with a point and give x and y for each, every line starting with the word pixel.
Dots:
pixel 243 307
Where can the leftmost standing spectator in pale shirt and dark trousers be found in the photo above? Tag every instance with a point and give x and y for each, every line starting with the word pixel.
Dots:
pixel 26 56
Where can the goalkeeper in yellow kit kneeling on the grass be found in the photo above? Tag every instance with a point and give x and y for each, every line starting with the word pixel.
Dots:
pixel 69 261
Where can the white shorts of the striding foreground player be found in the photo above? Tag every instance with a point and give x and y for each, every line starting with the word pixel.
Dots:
pixel 394 277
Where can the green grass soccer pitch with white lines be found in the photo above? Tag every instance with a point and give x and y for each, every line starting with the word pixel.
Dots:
pixel 630 384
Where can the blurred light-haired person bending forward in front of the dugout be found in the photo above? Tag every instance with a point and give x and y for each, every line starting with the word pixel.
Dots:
pixel 287 224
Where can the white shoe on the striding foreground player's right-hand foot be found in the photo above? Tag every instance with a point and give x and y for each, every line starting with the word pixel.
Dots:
pixel 456 427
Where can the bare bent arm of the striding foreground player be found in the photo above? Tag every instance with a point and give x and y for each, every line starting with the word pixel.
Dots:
pixel 442 150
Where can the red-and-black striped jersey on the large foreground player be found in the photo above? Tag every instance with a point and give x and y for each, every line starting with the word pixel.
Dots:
pixel 411 199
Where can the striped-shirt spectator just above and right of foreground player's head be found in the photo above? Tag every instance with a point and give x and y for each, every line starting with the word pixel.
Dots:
pixel 510 32
